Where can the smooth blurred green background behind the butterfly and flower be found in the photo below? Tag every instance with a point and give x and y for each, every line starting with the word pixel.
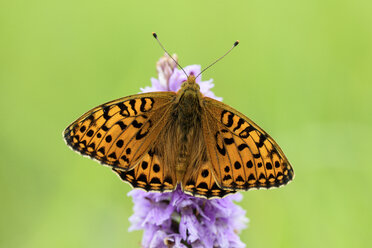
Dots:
pixel 302 72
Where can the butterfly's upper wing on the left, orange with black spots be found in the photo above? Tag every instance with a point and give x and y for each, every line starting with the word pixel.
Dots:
pixel 119 133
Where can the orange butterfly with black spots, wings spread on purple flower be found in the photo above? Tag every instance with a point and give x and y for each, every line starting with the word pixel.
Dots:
pixel 156 141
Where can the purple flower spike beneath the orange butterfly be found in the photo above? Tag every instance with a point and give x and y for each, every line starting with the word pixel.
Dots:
pixel 175 219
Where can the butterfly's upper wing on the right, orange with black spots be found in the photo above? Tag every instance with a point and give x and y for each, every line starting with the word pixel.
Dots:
pixel 243 156
